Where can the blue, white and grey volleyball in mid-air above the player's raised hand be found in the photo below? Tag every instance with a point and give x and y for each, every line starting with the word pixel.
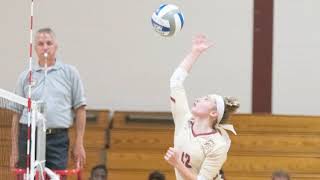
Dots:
pixel 167 20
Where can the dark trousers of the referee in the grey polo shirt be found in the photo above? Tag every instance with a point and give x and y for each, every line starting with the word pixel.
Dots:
pixel 57 146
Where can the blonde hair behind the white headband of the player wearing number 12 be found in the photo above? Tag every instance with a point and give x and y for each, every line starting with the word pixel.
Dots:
pixel 231 104
